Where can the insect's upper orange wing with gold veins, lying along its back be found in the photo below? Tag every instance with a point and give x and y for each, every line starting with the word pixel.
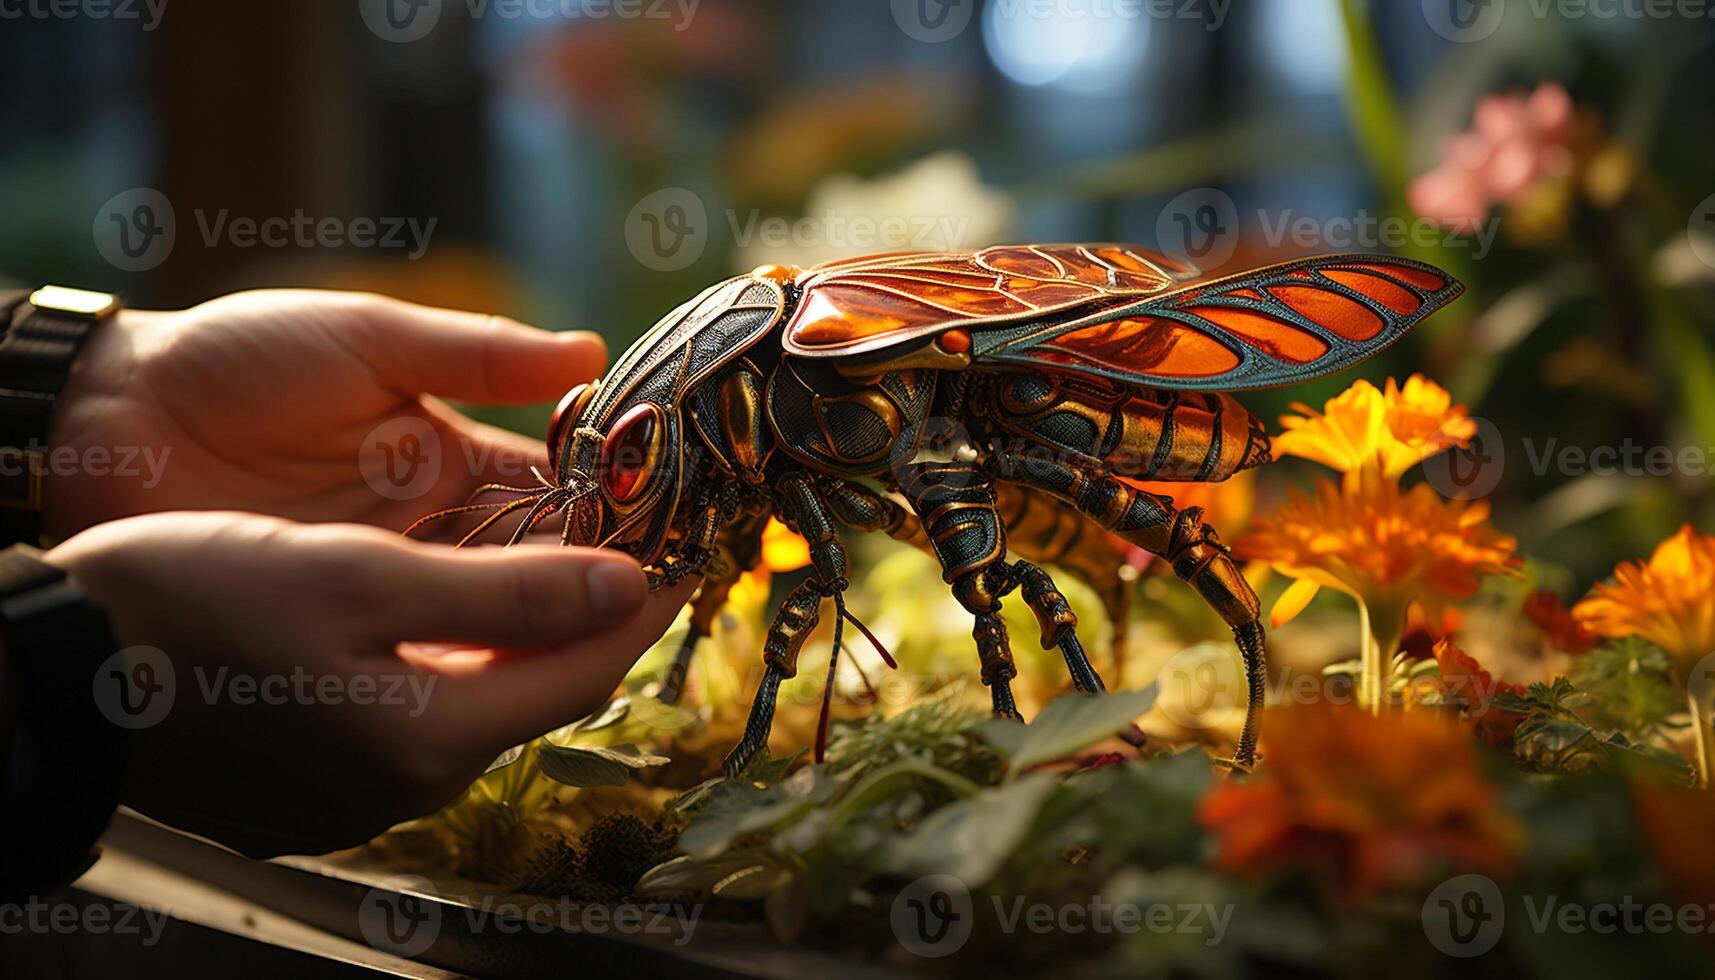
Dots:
pixel 858 306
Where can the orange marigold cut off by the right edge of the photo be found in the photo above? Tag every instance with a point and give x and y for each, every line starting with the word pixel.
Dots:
pixel 1666 600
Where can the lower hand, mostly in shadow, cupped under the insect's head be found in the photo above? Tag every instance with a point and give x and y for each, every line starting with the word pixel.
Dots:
pixel 334 681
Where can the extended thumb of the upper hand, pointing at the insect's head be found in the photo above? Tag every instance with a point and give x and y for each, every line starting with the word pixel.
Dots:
pixel 479 358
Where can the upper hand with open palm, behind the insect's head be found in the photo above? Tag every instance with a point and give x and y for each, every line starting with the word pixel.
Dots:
pixel 270 402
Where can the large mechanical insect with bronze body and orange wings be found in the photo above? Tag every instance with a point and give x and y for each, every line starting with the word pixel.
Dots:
pixel 942 399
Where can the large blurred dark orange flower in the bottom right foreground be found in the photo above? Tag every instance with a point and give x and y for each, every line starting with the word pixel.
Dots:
pixel 1369 804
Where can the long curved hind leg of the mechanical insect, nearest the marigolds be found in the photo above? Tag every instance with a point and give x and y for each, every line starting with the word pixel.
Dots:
pixel 1179 536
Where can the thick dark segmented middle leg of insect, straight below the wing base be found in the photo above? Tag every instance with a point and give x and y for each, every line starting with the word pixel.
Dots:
pixel 956 504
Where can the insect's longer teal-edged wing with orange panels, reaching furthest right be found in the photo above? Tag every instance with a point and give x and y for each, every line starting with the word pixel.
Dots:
pixel 1272 327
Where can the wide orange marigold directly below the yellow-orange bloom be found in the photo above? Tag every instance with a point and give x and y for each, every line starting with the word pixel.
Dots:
pixel 1385 545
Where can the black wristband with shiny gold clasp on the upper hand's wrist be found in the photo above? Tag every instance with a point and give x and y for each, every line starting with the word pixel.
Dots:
pixel 42 336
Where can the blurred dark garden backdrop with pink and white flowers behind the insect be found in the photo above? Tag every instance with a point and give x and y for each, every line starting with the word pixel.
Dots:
pixel 591 164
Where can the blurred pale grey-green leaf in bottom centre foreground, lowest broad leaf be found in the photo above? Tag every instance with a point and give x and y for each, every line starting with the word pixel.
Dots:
pixel 972 838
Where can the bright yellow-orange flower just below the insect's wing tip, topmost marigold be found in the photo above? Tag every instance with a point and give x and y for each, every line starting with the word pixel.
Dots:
pixel 1364 426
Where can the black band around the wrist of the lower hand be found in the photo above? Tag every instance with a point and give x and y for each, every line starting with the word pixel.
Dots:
pixel 66 759
